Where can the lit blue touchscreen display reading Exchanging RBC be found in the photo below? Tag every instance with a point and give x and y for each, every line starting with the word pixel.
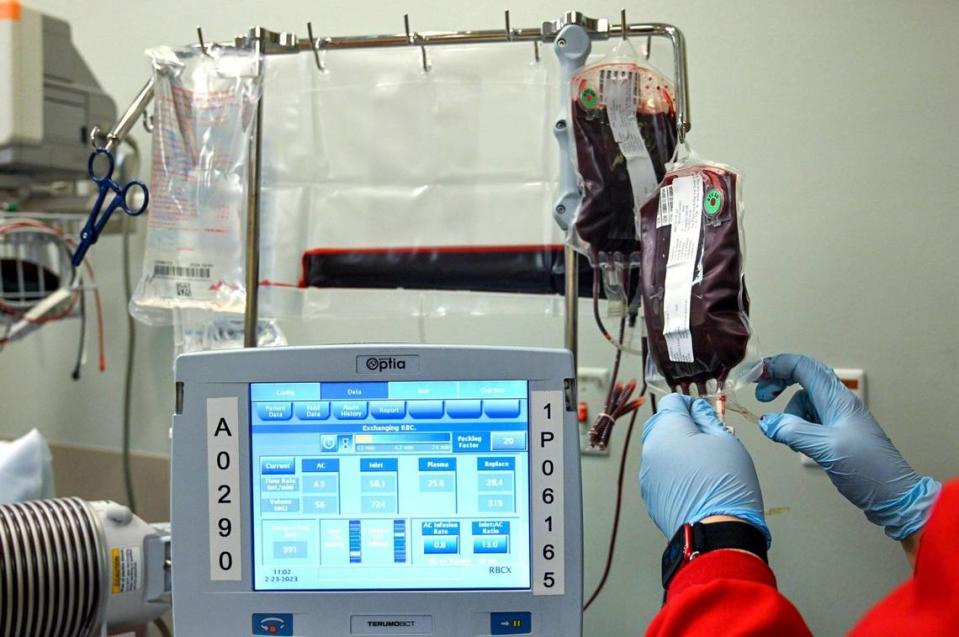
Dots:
pixel 390 485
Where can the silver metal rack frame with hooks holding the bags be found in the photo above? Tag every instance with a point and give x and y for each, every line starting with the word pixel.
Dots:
pixel 573 26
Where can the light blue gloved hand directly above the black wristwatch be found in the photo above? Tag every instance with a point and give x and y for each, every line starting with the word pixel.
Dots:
pixel 694 467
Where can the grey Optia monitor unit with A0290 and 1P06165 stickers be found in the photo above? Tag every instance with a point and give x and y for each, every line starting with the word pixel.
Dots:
pixel 376 490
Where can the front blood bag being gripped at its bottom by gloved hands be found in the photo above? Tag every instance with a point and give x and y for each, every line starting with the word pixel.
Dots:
pixel 696 306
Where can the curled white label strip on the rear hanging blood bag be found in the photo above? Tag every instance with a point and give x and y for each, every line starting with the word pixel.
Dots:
pixel 619 88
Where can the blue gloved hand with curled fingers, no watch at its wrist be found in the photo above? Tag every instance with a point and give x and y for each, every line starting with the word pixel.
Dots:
pixel 828 423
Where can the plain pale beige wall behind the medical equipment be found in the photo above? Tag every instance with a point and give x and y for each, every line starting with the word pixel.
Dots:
pixel 842 115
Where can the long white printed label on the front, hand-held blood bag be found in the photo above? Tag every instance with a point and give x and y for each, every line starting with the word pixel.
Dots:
pixel 685 218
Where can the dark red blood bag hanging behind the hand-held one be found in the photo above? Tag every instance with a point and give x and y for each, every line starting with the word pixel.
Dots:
pixel 624 133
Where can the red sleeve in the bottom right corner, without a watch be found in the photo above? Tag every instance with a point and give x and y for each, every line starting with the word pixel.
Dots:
pixel 927 604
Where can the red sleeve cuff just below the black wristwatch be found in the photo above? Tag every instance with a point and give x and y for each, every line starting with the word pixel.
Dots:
pixel 726 593
